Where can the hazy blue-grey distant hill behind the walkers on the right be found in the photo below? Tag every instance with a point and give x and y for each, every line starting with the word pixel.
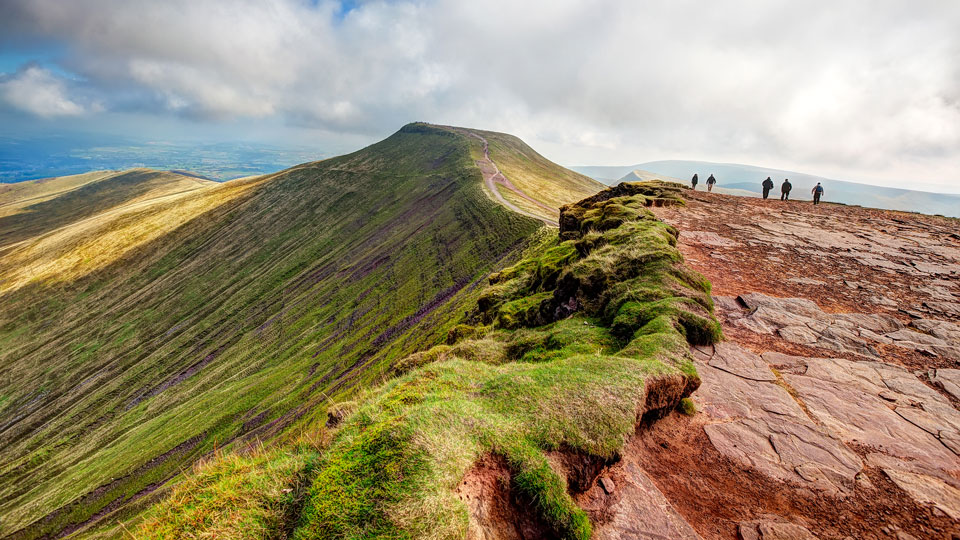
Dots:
pixel 746 179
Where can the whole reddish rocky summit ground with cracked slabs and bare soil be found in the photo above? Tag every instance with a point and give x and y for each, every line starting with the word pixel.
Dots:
pixel 831 409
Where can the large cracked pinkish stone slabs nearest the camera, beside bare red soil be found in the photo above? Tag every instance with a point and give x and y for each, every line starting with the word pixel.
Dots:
pixel 801 427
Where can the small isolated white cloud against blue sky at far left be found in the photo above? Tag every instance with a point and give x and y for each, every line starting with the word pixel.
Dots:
pixel 38 91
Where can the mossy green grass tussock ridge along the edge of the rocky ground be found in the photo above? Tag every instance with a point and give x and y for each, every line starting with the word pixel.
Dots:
pixel 566 350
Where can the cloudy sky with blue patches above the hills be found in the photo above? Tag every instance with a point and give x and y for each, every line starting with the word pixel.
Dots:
pixel 852 90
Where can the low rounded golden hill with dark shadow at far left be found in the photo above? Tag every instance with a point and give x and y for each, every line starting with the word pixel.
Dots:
pixel 32 208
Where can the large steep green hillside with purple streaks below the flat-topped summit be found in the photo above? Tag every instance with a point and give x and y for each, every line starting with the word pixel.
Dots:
pixel 266 299
